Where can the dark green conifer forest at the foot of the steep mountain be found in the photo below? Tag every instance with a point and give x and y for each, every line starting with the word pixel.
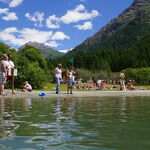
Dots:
pixel 110 59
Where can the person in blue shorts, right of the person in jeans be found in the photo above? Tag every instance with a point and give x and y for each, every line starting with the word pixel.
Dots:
pixel 70 80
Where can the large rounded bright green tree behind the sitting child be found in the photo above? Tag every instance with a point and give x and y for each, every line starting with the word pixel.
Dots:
pixel 31 67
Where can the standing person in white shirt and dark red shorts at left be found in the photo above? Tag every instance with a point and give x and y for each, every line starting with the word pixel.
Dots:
pixel 10 66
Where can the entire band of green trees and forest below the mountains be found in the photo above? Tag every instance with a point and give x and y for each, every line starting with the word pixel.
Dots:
pixel 97 63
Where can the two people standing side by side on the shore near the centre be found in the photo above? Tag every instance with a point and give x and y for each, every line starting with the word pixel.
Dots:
pixel 69 75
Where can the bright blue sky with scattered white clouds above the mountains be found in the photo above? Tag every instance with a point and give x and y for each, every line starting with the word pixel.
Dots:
pixel 61 24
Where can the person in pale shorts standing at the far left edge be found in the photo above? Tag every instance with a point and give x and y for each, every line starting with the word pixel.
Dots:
pixel 3 73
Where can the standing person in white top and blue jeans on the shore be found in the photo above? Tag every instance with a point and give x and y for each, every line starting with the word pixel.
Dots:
pixel 58 77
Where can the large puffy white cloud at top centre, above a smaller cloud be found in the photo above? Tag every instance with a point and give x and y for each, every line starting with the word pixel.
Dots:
pixel 78 14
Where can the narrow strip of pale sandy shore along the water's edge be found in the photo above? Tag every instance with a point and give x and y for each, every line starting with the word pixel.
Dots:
pixel 76 94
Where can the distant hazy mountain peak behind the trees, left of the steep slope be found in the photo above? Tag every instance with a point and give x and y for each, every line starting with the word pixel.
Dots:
pixel 46 51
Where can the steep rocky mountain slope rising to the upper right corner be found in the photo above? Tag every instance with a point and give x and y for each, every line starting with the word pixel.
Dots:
pixel 121 32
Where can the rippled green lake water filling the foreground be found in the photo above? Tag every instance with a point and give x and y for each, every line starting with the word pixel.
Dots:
pixel 110 123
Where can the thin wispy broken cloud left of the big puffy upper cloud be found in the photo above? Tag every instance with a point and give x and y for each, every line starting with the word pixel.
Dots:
pixel 36 17
